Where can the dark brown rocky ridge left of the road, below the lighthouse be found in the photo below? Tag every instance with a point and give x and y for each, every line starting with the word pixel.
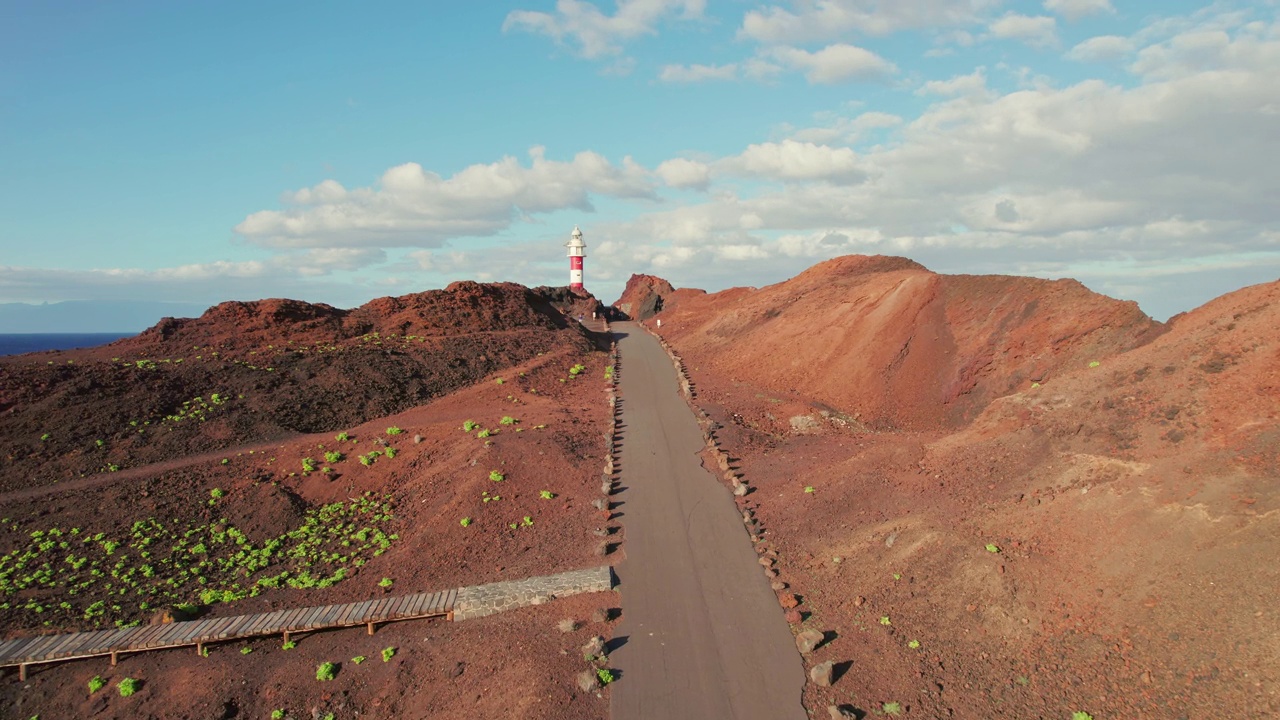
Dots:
pixel 262 371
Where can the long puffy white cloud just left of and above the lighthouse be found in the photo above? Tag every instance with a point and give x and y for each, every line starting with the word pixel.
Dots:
pixel 414 207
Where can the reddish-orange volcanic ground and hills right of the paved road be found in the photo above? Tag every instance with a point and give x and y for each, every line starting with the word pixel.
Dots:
pixel 1008 498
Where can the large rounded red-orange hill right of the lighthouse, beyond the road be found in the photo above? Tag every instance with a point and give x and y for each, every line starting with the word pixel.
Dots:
pixel 888 344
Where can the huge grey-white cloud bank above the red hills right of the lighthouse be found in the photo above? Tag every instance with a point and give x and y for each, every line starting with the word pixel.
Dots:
pixel 1165 175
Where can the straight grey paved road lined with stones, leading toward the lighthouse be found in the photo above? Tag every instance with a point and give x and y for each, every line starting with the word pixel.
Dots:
pixel 705 637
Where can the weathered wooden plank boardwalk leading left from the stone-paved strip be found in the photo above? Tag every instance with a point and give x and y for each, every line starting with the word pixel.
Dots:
pixel 75 646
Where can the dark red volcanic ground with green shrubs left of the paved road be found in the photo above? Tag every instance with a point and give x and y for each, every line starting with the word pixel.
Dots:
pixel 216 495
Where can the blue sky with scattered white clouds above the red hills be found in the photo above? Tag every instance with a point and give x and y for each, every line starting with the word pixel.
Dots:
pixel 340 152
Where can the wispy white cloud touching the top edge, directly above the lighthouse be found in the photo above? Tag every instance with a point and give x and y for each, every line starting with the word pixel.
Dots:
pixel 596 34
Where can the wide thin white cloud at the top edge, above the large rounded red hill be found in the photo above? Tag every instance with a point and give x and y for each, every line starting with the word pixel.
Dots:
pixel 813 21
